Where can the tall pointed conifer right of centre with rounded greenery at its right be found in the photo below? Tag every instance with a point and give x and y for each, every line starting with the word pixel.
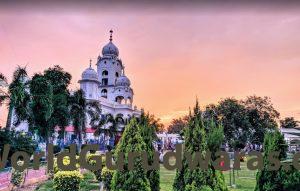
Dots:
pixel 200 136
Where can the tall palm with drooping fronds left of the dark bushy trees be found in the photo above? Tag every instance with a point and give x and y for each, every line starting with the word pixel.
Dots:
pixel 19 97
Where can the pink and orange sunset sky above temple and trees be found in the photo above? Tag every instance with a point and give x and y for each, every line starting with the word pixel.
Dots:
pixel 172 54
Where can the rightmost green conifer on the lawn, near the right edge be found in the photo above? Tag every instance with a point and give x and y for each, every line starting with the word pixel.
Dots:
pixel 273 180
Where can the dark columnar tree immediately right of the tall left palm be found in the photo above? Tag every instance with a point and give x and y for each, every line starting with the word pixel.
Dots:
pixel 41 106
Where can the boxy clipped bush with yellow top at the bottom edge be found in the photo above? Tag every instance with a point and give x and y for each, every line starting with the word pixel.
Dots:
pixel 67 181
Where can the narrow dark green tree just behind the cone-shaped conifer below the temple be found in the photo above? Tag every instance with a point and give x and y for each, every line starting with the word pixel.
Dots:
pixel 148 133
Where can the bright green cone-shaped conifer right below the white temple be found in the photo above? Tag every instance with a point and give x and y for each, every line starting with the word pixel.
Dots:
pixel 136 179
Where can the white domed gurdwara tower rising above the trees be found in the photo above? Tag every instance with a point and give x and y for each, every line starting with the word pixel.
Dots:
pixel 109 85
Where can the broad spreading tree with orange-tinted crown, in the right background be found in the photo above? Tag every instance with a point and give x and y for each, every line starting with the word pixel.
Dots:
pixel 243 120
